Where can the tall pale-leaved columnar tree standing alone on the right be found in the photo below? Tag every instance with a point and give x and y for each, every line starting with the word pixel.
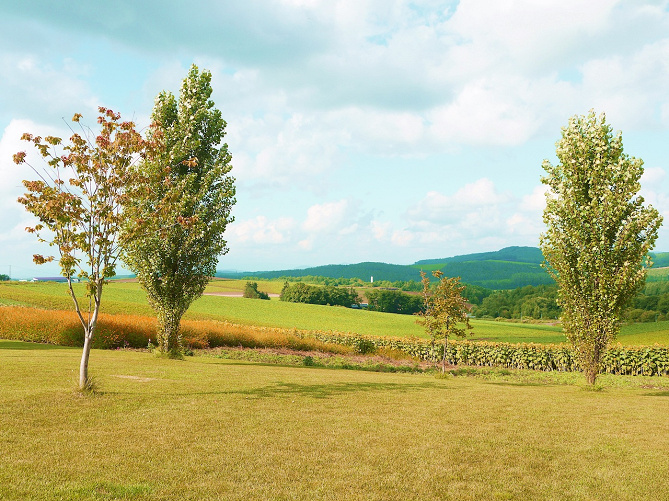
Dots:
pixel 598 234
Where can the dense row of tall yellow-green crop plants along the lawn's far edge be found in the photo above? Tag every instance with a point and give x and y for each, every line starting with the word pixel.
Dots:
pixel 648 361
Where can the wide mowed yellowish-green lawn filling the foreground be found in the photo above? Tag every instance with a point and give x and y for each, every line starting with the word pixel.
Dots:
pixel 206 428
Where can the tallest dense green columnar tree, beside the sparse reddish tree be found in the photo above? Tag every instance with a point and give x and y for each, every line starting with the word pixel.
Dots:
pixel 178 213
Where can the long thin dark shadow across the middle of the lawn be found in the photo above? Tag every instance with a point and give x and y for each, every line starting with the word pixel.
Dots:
pixel 329 390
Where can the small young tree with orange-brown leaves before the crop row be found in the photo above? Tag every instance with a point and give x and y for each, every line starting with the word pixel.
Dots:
pixel 444 308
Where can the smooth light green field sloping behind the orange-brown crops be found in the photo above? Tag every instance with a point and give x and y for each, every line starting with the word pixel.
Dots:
pixel 128 298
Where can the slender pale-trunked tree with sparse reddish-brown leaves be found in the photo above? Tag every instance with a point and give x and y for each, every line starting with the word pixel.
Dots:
pixel 78 201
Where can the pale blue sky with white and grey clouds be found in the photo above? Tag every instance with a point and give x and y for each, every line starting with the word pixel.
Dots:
pixel 360 130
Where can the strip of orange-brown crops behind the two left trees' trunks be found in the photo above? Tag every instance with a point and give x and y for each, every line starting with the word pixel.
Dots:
pixel 134 331
